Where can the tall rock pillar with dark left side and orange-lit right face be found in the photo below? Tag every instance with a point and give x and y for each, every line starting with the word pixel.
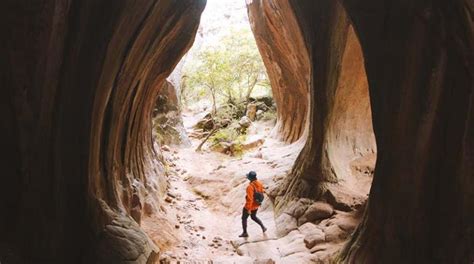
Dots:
pixel 340 129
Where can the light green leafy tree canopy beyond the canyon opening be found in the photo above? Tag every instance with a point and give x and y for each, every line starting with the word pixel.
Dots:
pixel 228 71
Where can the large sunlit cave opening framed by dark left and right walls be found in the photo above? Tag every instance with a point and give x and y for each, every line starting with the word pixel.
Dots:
pixel 223 112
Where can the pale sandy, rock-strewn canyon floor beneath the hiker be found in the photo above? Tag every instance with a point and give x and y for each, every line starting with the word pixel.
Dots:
pixel 200 219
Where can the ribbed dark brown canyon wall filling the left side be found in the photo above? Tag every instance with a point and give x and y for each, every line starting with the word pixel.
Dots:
pixel 79 82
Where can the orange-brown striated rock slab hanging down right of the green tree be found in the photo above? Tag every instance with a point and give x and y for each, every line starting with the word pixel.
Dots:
pixel 284 54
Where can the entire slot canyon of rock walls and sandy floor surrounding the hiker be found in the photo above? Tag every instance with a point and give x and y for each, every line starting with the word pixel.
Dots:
pixel 370 158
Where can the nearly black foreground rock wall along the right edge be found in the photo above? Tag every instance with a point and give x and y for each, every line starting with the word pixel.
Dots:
pixel 419 62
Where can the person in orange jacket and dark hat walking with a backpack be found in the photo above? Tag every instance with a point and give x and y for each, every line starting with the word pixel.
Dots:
pixel 253 200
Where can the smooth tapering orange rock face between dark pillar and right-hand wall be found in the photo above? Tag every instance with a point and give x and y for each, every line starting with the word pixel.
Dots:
pixel 350 133
